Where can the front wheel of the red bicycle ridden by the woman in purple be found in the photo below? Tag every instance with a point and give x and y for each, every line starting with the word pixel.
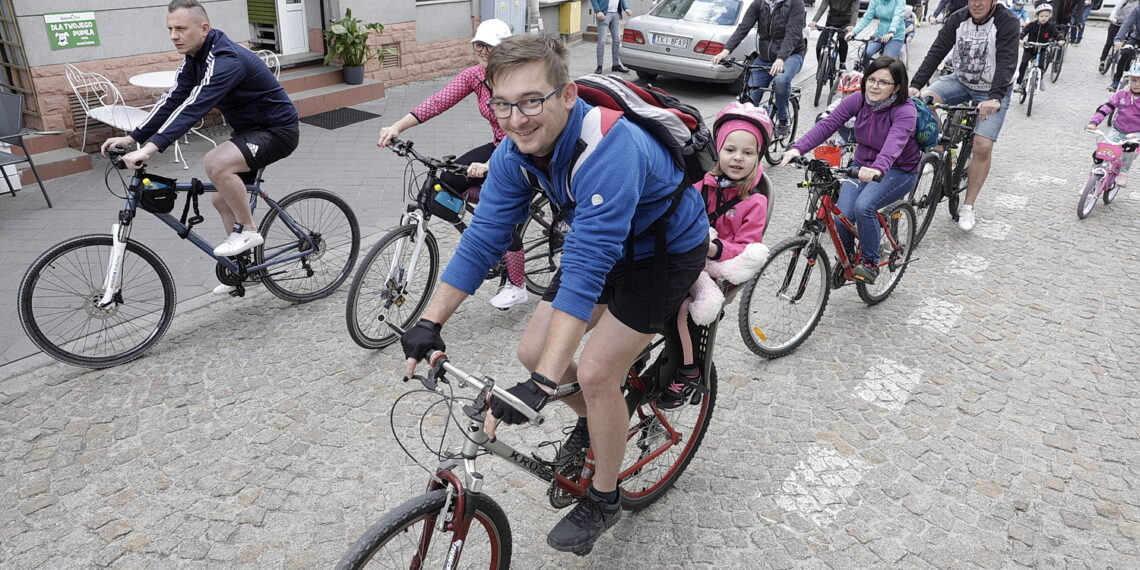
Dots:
pixel 784 304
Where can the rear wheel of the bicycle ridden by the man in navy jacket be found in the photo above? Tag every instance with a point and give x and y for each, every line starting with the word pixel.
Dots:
pixel 331 224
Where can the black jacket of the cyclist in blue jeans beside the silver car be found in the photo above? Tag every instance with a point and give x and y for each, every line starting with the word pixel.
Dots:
pixel 779 31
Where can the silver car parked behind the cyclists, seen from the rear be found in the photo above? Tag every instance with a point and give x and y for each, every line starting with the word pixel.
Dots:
pixel 679 38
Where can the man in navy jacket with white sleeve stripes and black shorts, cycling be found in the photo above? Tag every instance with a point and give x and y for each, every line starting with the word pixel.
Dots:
pixel 219 74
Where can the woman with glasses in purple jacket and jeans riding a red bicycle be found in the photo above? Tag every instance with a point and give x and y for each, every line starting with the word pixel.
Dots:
pixel 885 132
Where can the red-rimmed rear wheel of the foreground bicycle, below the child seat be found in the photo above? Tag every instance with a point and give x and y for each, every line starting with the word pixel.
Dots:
pixel 662 443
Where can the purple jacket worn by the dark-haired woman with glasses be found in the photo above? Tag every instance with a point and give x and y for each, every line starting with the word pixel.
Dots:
pixel 886 137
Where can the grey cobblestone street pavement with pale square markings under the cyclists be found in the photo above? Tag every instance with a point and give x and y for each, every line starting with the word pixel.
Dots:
pixel 984 417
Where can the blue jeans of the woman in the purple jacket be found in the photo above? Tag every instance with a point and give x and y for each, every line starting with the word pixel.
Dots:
pixel 861 202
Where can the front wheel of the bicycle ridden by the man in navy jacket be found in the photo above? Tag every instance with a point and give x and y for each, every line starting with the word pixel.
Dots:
pixel 59 303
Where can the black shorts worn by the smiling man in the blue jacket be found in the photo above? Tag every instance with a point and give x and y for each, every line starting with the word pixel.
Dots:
pixel 634 305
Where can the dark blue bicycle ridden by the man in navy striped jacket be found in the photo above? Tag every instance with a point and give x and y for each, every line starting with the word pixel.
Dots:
pixel 102 300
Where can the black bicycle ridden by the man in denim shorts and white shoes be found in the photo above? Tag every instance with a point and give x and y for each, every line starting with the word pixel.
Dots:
pixel 944 170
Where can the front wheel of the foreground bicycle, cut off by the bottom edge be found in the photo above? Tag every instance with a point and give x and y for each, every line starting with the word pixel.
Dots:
pixel 409 538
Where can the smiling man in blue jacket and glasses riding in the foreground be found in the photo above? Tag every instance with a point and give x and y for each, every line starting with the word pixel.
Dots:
pixel 622 184
